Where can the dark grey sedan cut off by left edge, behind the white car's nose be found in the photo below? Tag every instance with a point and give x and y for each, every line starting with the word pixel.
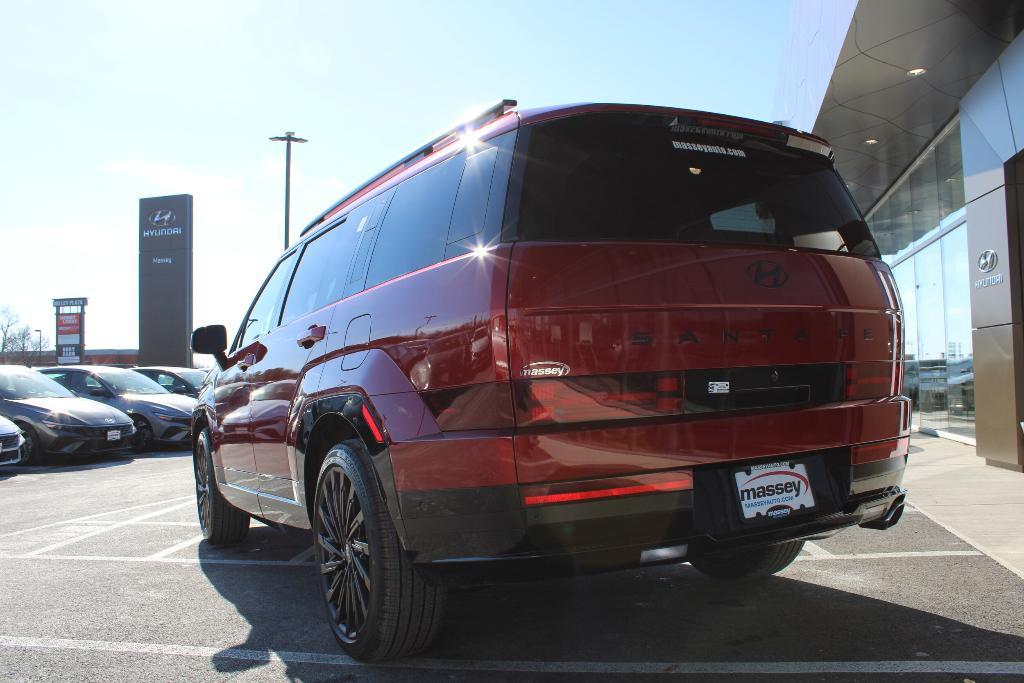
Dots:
pixel 55 421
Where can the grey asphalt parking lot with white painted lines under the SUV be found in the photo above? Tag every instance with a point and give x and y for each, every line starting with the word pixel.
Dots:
pixel 104 577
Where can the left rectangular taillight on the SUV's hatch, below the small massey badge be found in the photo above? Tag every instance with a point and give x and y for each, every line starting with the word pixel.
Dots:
pixel 599 398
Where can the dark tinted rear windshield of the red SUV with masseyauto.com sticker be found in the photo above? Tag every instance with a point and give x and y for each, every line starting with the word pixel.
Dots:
pixel 651 178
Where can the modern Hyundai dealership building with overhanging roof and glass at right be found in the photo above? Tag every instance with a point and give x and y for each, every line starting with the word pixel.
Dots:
pixel 923 102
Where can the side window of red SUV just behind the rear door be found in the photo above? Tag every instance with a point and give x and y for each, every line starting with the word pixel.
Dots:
pixel 415 230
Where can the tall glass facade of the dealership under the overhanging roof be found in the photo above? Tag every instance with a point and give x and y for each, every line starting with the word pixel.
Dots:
pixel 922 235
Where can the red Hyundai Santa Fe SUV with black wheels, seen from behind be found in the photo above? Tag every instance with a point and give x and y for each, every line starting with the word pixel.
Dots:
pixel 563 340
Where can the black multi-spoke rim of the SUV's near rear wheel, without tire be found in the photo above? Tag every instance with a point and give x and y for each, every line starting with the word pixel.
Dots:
pixel 344 556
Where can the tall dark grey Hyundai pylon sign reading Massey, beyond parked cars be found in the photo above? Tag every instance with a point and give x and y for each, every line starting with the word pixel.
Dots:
pixel 165 280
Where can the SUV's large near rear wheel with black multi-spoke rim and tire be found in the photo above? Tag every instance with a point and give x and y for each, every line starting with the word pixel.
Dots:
pixel 379 607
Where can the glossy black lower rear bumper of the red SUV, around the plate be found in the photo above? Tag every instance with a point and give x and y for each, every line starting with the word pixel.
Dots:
pixel 487 533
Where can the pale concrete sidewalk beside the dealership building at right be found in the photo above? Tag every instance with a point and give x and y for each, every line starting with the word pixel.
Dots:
pixel 983 505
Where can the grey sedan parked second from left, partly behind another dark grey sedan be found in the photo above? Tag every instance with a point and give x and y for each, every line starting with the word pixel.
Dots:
pixel 160 417
